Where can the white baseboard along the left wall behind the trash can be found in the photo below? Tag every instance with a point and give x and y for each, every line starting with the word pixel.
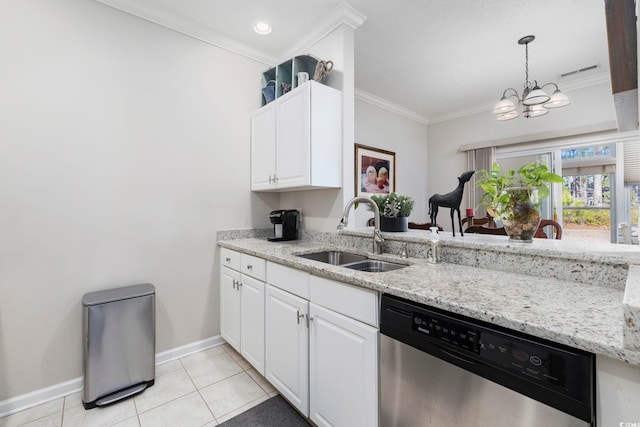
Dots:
pixel 56 391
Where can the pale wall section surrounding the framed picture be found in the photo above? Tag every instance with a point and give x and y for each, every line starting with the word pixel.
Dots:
pixel 384 129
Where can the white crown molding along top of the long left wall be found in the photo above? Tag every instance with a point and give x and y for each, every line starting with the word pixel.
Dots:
pixel 191 29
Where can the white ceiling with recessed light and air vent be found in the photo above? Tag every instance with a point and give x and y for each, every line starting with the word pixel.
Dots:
pixel 437 58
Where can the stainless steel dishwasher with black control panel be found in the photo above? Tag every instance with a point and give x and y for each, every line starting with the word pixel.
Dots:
pixel 441 369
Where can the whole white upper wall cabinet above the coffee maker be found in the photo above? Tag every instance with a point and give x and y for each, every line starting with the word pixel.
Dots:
pixel 296 140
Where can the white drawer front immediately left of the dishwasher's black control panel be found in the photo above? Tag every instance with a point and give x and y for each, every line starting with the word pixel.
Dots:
pixel 357 303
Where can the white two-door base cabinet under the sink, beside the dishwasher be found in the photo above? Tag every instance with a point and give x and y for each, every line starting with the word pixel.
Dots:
pixel 322 346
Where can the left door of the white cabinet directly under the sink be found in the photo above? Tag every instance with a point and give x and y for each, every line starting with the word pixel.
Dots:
pixel 287 349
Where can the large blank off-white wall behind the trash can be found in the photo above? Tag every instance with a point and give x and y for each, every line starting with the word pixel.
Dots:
pixel 124 146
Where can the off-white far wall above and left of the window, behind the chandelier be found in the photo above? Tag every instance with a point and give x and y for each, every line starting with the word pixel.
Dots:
pixel 589 106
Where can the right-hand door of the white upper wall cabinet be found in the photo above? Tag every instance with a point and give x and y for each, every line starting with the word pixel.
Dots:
pixel 293 139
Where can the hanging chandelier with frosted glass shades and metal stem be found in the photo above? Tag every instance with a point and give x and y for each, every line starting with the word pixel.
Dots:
pixel 534 100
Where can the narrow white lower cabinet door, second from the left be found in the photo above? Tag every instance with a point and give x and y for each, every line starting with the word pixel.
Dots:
pixel 252 322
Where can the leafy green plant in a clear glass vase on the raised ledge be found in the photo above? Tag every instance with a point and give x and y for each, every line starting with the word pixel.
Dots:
pixel 515 196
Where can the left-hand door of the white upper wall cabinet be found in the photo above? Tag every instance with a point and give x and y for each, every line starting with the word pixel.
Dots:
pixel 263 148
